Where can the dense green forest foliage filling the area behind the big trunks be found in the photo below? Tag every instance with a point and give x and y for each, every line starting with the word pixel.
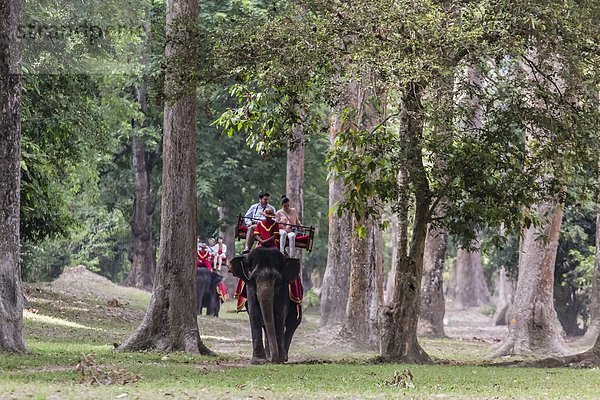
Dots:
pixel 86 118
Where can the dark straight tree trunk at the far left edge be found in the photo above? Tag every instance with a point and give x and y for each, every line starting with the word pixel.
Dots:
pixel 11 296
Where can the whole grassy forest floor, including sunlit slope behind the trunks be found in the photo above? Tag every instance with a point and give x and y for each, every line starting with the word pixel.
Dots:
pixel 71 340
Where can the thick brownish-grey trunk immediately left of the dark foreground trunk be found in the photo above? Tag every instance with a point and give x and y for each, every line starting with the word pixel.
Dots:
pixel 361 323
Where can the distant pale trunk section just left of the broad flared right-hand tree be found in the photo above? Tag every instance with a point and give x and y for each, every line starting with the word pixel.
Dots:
pixel 470 289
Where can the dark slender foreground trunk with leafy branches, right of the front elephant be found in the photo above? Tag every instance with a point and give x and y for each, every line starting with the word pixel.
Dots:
pixel 399 319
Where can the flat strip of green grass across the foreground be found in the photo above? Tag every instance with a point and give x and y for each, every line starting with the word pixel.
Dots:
pixel 48 370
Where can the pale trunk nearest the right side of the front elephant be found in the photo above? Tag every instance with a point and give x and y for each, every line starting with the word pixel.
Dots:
pixel 334 290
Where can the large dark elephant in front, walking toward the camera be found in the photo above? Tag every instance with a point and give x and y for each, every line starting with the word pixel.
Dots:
pixel 267 274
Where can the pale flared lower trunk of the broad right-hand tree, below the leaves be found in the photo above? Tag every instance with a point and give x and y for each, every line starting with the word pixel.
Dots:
pixel 534 326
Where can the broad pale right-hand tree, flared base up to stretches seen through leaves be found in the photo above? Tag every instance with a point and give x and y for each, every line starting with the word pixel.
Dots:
pixel 534 326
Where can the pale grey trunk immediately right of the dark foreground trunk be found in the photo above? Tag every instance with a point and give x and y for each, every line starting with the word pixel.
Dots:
pixel 433 308
